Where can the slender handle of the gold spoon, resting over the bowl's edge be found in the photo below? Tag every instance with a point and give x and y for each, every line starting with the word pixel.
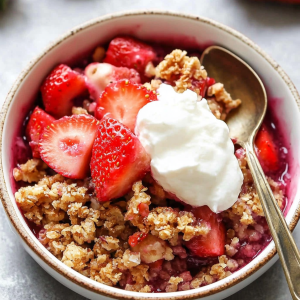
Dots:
pixel 285 244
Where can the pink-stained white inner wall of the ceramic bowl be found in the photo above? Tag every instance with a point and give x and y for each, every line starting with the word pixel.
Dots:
pixel 177 30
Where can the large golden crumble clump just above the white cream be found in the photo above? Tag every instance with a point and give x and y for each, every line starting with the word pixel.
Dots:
pixel 181 69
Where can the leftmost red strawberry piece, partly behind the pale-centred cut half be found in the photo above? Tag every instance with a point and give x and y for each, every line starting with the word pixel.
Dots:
pixel 37 122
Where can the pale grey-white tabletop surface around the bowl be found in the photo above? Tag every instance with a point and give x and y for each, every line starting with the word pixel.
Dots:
pixel 27 27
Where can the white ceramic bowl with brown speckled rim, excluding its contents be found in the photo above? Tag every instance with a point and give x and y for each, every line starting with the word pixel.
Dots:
pixel 159 26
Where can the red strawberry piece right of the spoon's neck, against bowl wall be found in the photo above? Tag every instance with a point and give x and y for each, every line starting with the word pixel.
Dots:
pixel 266 150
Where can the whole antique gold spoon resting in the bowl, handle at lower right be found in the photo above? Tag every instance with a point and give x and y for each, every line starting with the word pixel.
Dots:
pixel 243 83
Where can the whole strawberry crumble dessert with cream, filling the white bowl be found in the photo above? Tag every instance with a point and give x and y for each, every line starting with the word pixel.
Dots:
pixel 132 179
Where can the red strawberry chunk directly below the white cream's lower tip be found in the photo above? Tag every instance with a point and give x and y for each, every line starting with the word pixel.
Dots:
pixel 212 244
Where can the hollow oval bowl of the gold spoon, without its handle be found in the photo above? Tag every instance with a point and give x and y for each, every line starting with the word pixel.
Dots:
pixel 242 83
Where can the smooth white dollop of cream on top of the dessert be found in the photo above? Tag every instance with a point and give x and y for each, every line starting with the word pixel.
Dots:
pixel 191 153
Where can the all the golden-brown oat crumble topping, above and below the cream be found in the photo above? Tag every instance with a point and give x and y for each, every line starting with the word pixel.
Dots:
pixel 93 237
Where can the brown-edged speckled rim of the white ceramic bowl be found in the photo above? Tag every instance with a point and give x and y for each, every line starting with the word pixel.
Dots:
pixel 76 277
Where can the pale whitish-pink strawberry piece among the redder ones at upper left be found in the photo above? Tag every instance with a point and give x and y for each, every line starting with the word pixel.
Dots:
pixel 100 75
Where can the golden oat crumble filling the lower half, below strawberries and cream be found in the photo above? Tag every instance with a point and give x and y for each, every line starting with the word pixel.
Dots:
pixel 93 239
